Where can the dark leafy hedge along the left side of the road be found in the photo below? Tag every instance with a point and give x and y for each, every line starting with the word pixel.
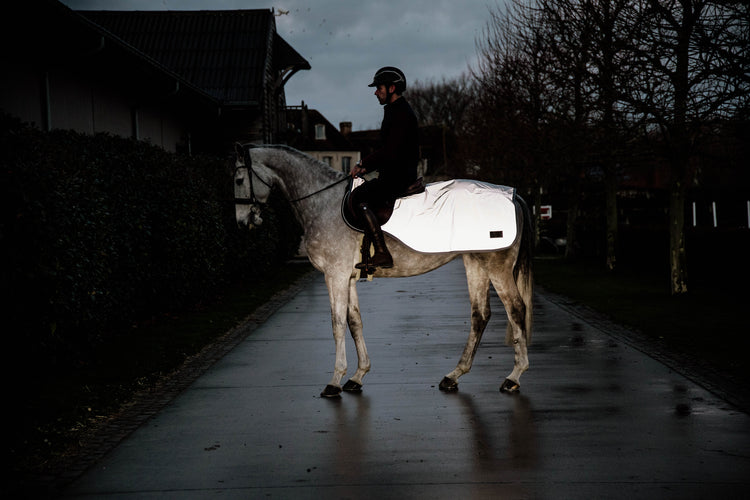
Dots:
pixel 98 232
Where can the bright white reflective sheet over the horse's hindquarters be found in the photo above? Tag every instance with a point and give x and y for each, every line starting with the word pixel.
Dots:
pixel 455 216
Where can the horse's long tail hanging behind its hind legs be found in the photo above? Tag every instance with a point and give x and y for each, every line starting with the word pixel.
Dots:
pixel 523 270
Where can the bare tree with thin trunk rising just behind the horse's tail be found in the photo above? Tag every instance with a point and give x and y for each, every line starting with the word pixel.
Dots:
pixel 516 95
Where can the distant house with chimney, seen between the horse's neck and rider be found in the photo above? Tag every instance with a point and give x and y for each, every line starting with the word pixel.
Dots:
pixel 309 131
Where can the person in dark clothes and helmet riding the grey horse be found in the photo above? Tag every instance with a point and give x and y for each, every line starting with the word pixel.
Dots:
pixel 396 160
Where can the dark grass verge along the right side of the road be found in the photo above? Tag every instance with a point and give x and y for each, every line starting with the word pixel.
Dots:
pixel 708 324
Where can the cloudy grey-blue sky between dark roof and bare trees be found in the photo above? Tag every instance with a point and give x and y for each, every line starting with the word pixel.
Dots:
pixel 346 41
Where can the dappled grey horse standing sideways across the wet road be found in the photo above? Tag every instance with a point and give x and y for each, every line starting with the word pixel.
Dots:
pixel 333 247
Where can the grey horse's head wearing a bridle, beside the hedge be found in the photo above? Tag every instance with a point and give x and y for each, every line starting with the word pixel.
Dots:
pixel 250 189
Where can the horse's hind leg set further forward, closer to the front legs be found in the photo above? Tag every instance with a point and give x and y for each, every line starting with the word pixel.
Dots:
pixel 479 285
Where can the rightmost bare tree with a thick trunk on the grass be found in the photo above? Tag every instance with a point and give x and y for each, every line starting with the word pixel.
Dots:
pixel 688 70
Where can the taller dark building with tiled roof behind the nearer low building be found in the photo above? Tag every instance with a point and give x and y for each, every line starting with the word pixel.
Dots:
pixel 235 56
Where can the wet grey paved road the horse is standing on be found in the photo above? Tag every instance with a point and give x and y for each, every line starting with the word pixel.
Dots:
pixel 596 418
